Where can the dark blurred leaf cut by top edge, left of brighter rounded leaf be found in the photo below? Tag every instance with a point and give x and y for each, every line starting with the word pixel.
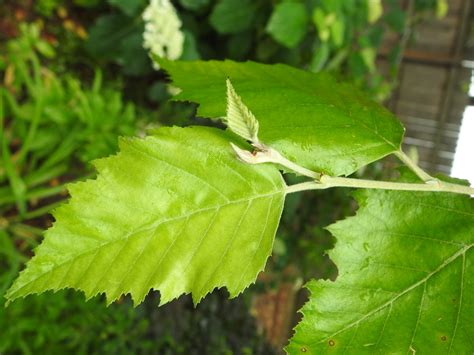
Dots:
pixel 232 16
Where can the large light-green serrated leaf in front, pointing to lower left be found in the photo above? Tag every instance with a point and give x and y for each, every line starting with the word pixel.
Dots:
pixel 175 212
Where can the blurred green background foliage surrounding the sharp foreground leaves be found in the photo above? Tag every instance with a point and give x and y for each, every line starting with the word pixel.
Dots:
pixel 75 76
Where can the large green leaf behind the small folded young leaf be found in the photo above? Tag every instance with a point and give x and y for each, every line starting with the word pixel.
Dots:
pixel 310 118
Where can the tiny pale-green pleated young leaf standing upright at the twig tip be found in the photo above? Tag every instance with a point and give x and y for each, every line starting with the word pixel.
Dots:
pixel 239 118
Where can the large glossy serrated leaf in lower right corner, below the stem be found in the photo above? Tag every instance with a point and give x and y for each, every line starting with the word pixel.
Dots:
pixel 406 279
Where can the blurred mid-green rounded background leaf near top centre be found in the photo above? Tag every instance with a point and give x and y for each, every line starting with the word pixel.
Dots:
pixel 287 24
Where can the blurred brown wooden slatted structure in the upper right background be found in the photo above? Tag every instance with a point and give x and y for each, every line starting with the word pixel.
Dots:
pixel 435 73
